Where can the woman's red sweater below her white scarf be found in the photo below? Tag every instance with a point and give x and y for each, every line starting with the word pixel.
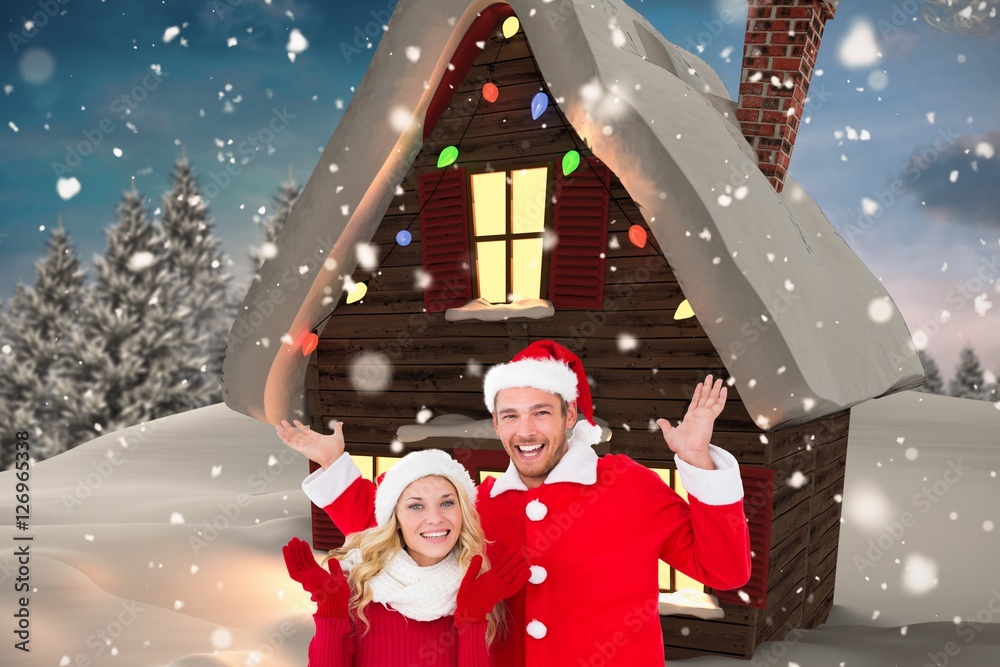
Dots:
pixel 393 639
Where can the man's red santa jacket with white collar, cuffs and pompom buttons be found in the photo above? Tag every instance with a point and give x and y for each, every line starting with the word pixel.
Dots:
pixel 593 533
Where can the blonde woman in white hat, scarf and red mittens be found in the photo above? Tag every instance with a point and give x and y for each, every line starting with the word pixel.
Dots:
pixel 414 592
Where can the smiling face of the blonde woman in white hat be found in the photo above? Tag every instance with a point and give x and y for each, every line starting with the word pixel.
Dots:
pixel 430 519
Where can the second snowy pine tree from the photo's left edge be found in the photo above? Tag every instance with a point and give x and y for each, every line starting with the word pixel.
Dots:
pixel 132 355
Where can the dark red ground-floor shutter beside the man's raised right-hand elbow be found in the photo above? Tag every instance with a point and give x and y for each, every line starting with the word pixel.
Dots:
pixel 758 501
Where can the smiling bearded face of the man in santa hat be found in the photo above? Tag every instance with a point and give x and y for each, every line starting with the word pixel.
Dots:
pixel 532 427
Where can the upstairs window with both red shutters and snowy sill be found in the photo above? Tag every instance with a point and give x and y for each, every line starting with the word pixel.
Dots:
pixel 485 238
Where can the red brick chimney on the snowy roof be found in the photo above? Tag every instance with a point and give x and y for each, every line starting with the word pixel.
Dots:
pixel 779 55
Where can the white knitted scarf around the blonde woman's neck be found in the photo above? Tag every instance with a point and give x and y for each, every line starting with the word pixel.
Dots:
pixel 418 593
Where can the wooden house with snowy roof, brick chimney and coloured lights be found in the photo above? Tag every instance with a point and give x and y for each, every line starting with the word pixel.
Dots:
pixel 470 234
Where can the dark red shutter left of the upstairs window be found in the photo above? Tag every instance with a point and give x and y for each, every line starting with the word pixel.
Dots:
pixel 444 239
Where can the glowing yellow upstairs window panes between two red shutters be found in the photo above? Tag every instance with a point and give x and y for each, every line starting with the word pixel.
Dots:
pixel 508 220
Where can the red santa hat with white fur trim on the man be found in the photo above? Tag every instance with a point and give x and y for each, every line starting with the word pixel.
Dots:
pixel 545 365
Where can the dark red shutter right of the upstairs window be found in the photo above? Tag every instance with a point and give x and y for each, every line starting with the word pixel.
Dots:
pixel 580 223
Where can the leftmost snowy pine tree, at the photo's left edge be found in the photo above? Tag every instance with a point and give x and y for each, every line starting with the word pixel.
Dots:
pixel 33 340
